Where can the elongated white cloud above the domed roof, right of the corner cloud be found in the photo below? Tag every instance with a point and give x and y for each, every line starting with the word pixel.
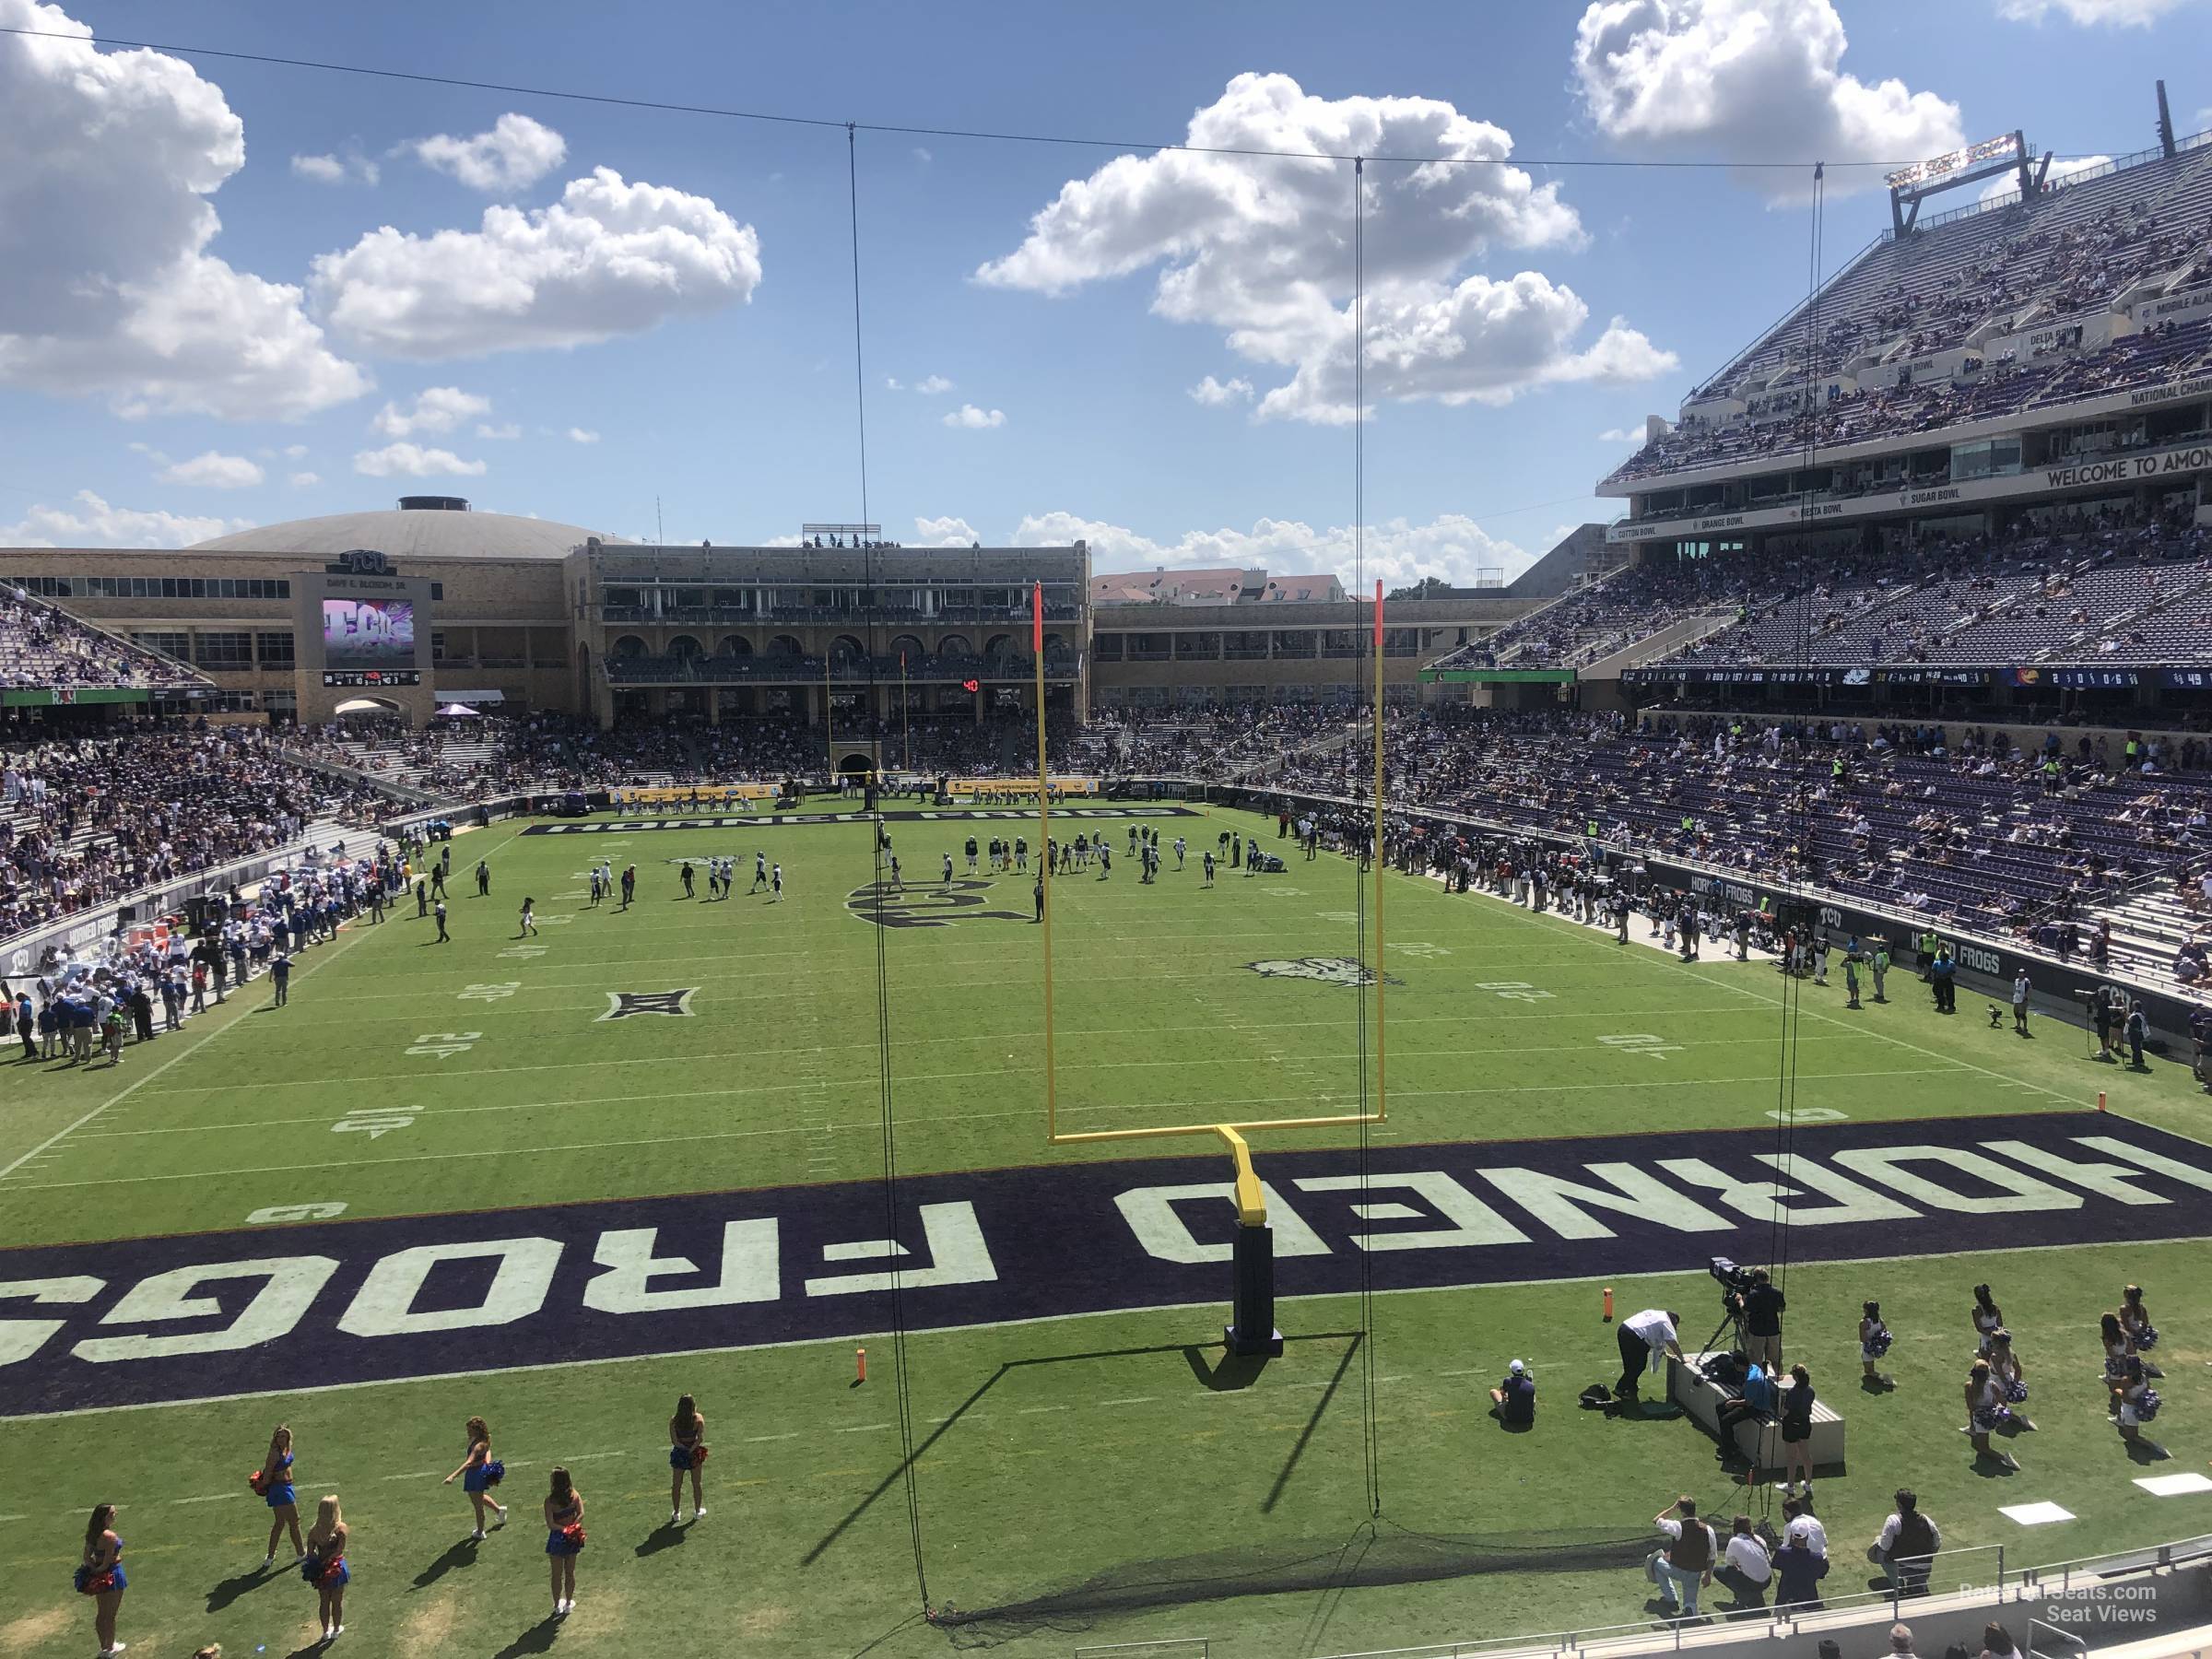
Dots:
pixel 607 260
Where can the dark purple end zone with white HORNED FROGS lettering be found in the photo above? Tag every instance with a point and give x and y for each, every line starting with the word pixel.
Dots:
pixel 357 1302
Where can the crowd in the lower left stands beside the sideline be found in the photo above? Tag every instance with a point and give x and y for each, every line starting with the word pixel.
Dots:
pixel 98 817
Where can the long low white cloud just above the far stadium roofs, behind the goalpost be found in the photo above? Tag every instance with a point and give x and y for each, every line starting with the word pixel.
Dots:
pixel 1450 547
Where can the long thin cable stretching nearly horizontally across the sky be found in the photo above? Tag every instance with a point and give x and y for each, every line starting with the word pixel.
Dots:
pixel 897 129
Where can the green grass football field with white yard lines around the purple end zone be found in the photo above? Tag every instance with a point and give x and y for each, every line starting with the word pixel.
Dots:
pixel 1098 1443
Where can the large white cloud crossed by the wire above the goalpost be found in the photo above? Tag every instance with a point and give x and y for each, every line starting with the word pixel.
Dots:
pixel 1262 249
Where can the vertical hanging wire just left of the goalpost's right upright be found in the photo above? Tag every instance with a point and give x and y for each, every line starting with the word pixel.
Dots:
pixel 1370 1415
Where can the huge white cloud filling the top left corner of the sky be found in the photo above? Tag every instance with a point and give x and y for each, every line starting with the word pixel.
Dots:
pixel 107 169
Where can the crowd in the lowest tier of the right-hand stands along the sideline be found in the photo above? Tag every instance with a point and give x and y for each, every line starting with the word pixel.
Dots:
pixel 2003 833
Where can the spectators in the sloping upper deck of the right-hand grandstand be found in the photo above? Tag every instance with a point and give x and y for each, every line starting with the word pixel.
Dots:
pixel 2041 267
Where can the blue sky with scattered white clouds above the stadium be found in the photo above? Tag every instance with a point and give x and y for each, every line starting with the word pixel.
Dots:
pixel 238 282
